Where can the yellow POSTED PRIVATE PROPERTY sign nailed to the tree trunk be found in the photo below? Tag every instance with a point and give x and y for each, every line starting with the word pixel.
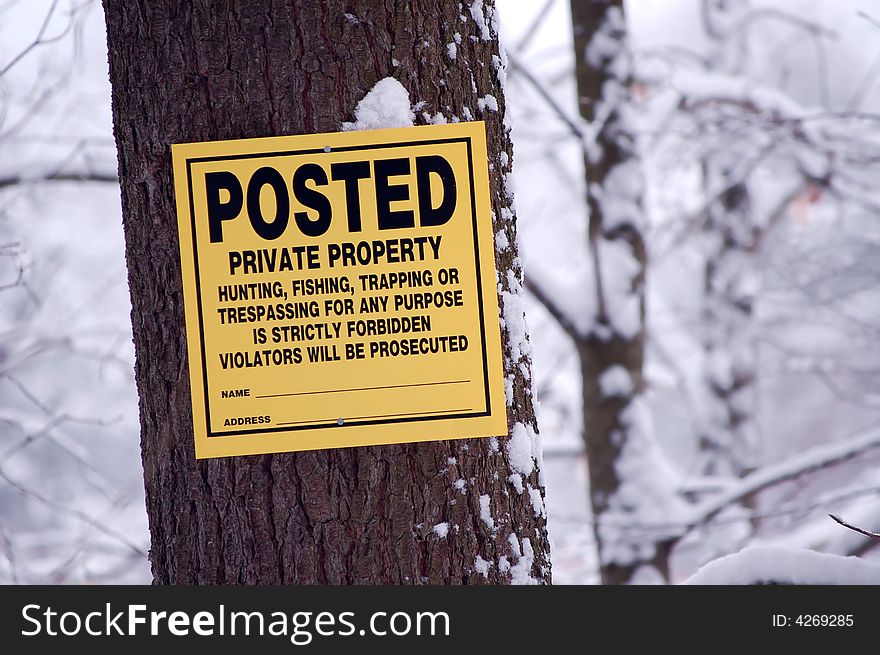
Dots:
pixel 339 289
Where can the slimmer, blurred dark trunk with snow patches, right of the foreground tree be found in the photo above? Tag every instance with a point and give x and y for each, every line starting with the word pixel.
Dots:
pixel 616 340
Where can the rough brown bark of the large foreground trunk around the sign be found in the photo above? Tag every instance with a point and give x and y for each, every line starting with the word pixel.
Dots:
pixel 207 70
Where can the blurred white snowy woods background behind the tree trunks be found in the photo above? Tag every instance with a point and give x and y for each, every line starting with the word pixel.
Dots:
pixel 71 492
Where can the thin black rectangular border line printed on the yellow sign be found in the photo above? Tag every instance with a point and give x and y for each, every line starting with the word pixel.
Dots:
pixel 353 422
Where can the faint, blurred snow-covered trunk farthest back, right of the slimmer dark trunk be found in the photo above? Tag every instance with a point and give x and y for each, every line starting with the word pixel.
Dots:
pixel 727 439
